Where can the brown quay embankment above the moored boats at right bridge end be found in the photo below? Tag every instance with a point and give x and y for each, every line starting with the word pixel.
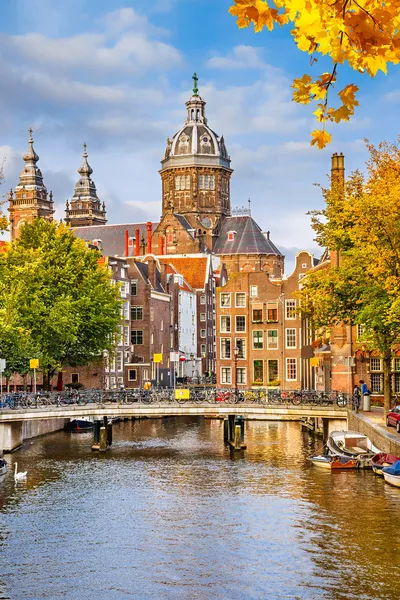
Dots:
pixel 372 424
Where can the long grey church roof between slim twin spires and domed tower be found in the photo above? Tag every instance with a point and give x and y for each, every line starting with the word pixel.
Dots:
pixel 112 236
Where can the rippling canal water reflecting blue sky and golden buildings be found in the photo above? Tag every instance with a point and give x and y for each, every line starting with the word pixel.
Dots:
pixel 170 513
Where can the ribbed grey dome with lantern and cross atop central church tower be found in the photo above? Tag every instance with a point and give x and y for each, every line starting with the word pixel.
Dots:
pixel 196 138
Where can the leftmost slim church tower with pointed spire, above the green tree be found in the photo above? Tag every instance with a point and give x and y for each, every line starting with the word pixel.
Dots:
pixel 30 200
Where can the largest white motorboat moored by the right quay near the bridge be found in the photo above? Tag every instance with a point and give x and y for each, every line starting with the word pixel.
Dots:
pixel 353 445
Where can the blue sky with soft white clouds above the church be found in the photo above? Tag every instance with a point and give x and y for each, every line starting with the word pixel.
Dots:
pixel 116 74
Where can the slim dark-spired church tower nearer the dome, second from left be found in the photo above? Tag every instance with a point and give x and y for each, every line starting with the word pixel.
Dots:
pixel 85 207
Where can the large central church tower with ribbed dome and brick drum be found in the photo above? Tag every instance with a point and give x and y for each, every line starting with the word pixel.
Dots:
pixel 195 178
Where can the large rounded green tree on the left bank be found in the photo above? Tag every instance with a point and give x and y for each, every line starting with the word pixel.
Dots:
pixel 61 297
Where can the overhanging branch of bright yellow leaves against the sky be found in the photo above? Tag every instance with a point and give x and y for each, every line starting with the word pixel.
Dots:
pixel 364 34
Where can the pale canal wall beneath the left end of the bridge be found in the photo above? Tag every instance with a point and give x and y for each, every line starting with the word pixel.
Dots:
pixel 13 435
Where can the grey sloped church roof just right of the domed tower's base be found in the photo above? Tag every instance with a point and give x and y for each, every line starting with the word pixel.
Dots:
pixel 248 238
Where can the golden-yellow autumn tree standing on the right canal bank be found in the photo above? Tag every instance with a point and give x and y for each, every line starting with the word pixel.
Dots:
pixel 361 226
